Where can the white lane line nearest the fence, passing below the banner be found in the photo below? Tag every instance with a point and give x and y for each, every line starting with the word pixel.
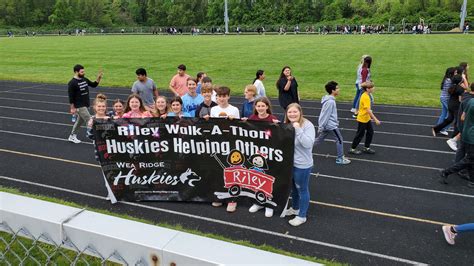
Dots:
pixel 217 221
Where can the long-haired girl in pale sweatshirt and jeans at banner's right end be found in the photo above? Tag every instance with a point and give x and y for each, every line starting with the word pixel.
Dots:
pixel 302 164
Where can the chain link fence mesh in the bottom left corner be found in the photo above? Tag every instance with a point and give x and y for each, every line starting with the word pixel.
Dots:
pixel 22 248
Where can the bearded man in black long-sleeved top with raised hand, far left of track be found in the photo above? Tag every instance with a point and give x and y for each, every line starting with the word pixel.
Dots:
pixel 78 90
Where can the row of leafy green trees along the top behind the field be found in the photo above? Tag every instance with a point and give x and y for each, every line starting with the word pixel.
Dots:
pixel 110 13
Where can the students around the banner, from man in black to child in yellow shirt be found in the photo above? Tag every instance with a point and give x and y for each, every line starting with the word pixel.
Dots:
pixel 200 98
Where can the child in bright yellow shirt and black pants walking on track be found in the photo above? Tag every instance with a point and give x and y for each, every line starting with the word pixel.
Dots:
pixel 364 117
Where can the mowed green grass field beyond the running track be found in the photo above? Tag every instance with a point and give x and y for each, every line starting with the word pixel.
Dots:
pixel 407 69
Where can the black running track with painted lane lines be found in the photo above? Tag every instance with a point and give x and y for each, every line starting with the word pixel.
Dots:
pixel 386 208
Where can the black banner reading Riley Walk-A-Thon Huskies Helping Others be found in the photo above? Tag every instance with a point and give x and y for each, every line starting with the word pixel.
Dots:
pixel 192 159
